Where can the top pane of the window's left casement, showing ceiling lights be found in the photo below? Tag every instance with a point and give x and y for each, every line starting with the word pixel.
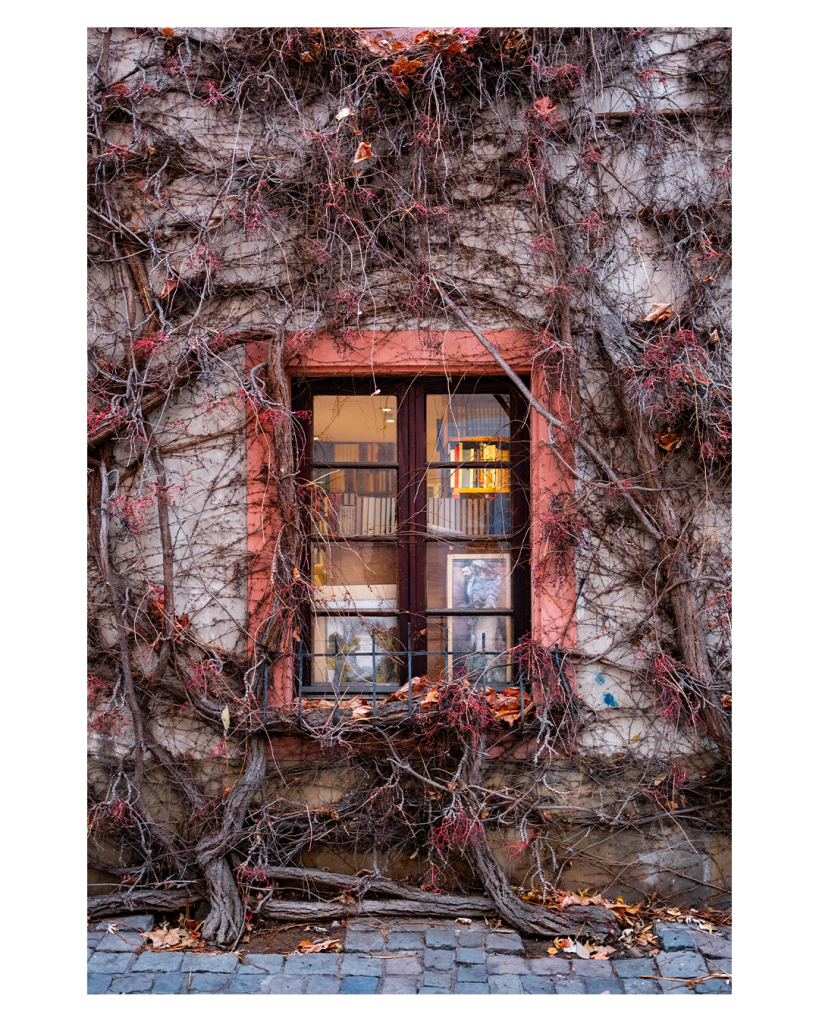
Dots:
pixel 355 429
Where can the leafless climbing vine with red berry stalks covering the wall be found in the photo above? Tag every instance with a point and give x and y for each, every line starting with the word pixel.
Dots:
pixel 253 189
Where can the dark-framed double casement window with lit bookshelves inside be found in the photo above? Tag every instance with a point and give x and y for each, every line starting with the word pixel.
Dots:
pixel 419 520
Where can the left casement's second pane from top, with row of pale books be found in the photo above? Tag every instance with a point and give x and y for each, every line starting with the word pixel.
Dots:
pixel 356 502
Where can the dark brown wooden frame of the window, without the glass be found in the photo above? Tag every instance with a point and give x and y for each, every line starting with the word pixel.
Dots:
pixel 411 536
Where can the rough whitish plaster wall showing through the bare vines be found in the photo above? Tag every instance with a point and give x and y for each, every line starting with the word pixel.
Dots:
pixel 491 246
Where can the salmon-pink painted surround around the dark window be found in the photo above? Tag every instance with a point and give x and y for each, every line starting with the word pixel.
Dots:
pixel 378 357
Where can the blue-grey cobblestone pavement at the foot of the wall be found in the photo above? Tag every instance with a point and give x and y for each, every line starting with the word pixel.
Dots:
pixel 407 959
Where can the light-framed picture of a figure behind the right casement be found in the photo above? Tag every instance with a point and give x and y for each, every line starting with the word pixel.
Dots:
pixel 478 644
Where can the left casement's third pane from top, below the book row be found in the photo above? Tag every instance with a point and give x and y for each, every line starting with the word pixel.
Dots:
pixel 357 576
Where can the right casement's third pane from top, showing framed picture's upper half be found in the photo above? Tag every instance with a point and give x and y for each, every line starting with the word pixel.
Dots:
pixel 469 576
